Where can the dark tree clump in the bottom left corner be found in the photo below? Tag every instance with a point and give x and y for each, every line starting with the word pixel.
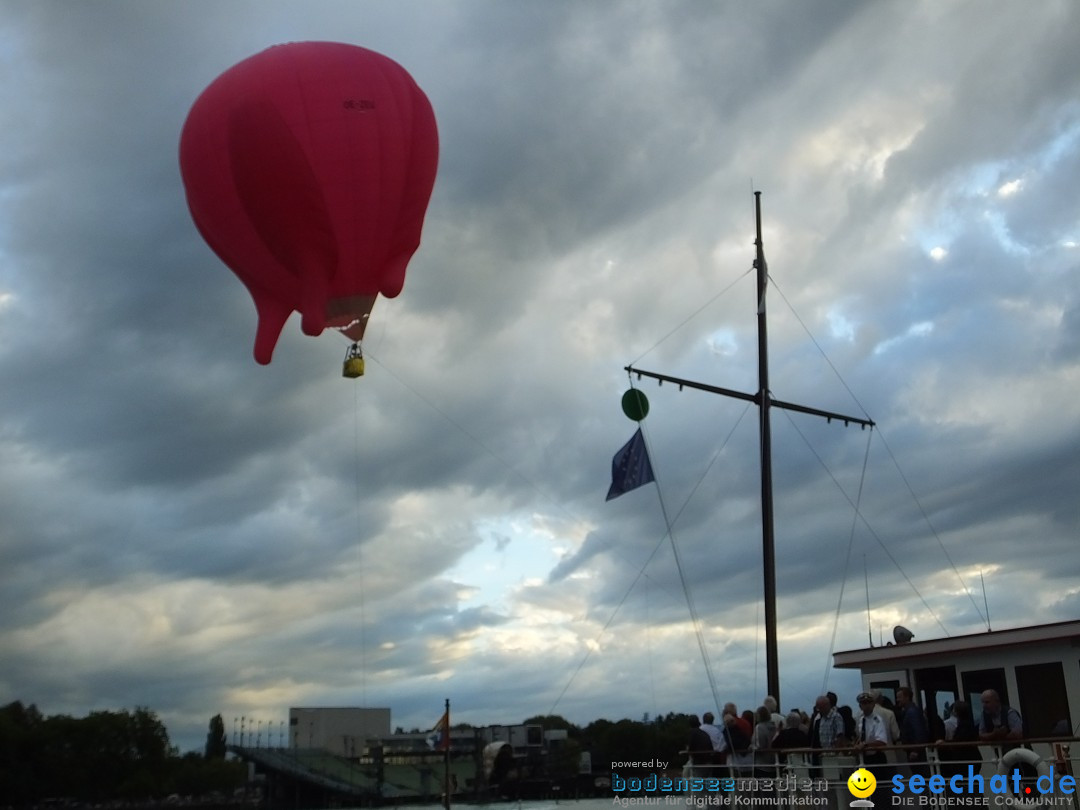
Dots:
pixel 105 757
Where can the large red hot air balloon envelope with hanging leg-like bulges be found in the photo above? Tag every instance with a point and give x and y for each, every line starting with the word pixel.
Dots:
pixel 308 170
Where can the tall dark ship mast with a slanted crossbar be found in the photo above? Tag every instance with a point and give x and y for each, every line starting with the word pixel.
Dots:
pixel 765 402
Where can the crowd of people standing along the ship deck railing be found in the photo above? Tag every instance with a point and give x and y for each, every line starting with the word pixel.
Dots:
pixel 754 744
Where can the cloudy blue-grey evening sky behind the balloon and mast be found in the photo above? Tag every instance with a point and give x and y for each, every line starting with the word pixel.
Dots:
pixel 184 530
